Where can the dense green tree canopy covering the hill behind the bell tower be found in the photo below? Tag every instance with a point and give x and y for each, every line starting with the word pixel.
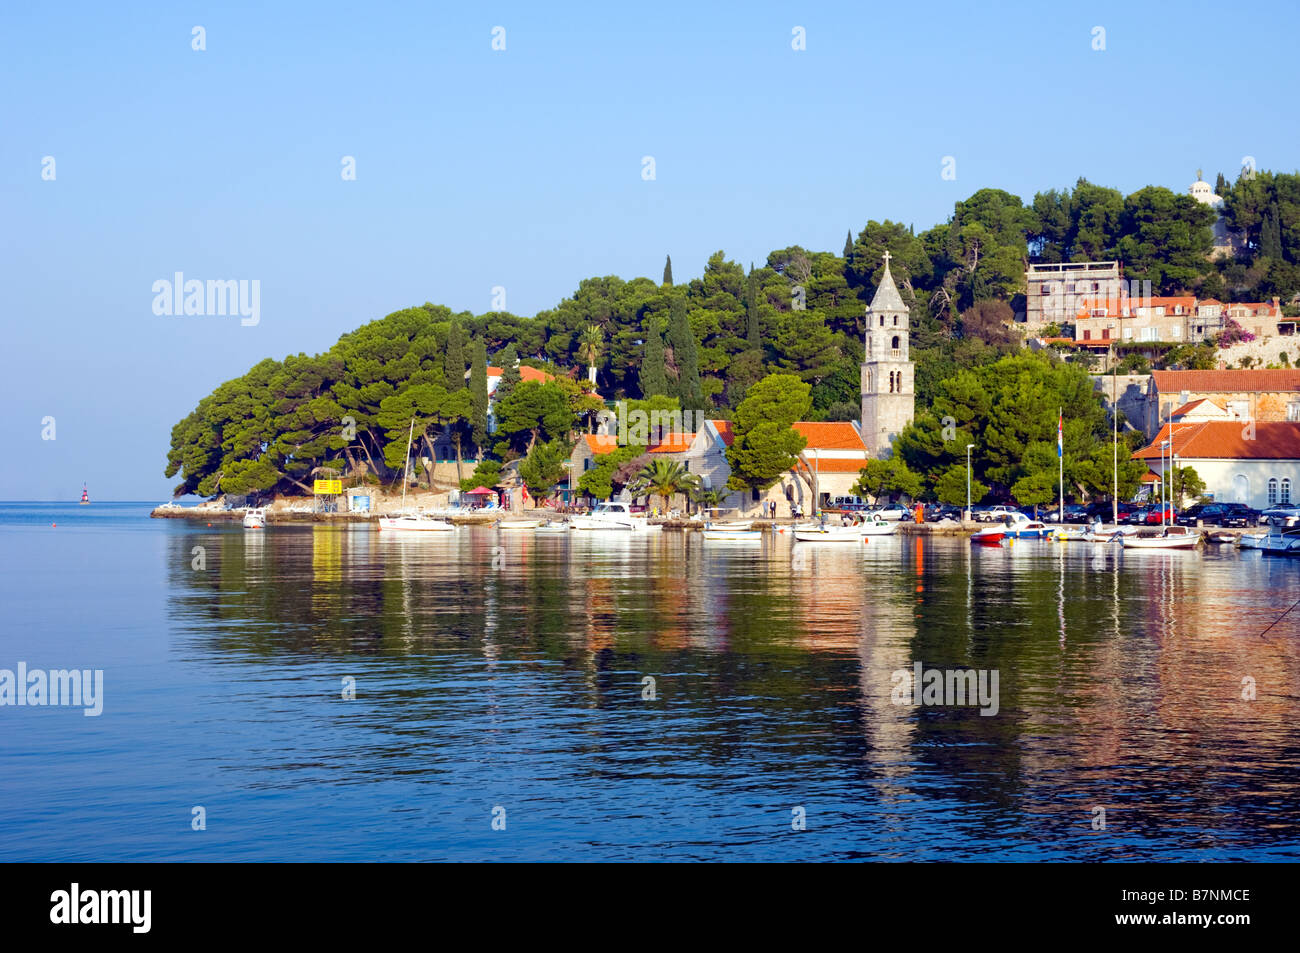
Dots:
pixel 708 343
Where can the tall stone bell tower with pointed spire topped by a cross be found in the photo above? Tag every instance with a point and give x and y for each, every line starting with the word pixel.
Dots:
pixel 889 376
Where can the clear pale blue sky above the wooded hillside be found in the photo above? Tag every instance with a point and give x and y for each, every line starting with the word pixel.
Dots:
pixel 522 168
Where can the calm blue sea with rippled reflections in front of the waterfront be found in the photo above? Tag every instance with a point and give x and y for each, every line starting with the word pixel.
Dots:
pixel 504 678
